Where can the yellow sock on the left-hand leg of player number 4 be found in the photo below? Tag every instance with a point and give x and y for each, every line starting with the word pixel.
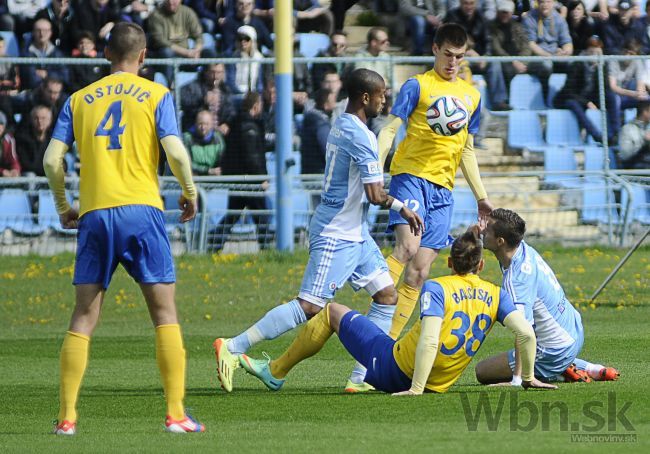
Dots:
pixel 73 361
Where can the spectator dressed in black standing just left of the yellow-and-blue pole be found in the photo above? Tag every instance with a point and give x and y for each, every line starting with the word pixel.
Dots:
pixel 245 155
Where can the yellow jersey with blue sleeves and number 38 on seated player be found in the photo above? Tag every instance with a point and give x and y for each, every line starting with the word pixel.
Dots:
pixel 468 306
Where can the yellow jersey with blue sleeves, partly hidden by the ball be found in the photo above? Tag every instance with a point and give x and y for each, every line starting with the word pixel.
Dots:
pixel 423 153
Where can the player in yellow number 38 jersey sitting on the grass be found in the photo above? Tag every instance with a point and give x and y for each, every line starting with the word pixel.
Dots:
pixel 456 313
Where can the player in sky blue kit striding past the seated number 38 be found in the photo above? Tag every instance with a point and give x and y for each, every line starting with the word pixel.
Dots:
pixel 340 247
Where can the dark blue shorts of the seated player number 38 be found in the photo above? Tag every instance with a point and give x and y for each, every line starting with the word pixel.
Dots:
pixel 374 349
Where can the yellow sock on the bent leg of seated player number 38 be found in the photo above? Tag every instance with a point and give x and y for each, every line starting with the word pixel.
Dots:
pixel 309 341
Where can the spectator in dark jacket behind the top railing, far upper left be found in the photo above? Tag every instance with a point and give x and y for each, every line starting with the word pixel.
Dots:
pixel 42 47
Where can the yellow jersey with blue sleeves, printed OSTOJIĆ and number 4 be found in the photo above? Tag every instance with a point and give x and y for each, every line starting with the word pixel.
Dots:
pixel 117 123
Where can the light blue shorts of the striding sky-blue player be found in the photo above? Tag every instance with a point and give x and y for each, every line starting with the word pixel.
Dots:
pixel 333 262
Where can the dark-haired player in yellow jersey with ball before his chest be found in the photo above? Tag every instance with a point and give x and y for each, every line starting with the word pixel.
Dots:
pixel 424 167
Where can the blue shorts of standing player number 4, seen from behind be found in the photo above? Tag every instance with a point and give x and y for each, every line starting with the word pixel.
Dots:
pixel 133 235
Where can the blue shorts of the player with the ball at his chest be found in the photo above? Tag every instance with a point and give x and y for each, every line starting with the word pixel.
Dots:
pixel 431 201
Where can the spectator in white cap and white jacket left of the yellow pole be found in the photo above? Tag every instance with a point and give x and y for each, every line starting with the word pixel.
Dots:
pixel 248 74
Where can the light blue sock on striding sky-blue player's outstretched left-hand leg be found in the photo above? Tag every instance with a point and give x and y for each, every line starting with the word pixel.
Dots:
pixel 275 322
